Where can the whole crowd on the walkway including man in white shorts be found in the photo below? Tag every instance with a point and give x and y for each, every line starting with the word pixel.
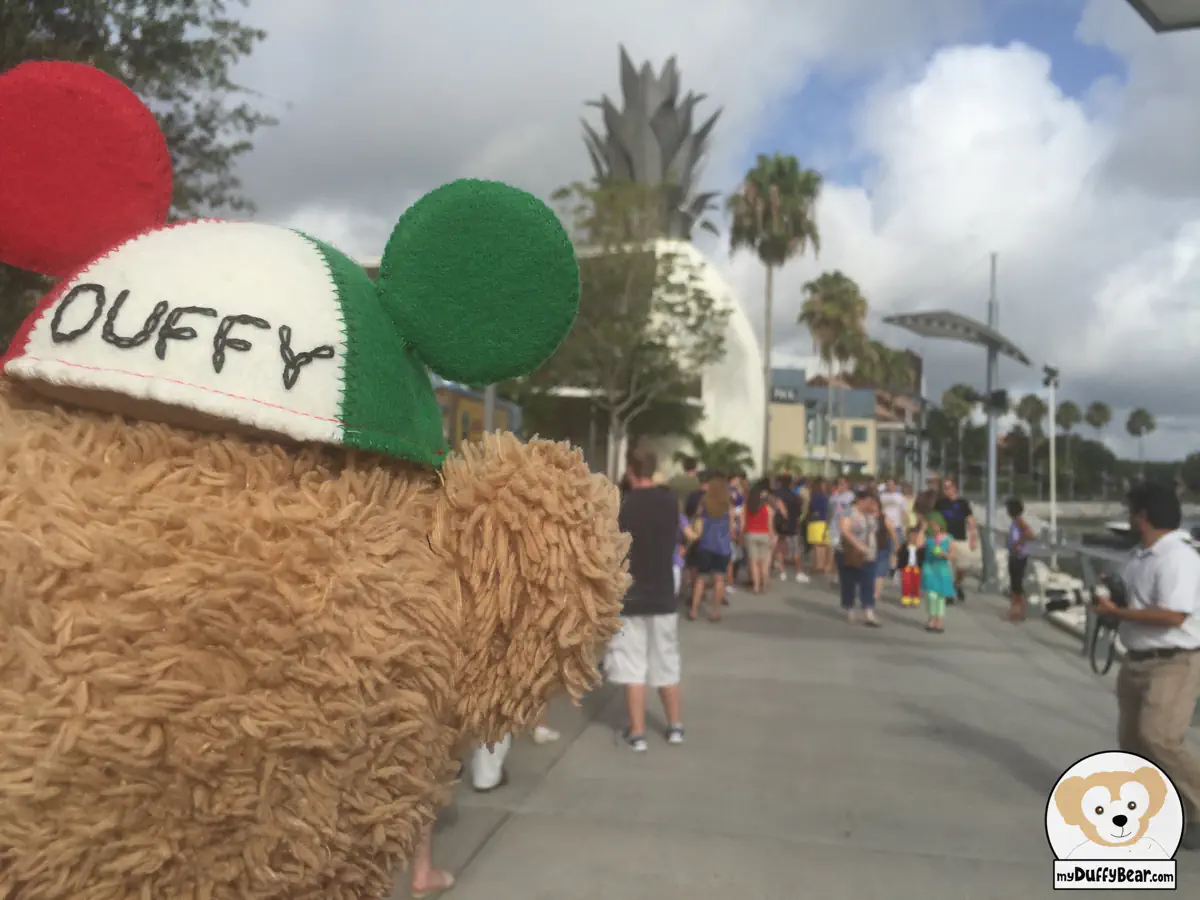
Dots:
pixel 709 533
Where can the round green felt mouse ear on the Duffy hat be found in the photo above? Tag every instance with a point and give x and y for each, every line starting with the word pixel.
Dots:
pixel 482 281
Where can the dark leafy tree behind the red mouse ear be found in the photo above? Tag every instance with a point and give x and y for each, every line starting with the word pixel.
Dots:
pixel 179 57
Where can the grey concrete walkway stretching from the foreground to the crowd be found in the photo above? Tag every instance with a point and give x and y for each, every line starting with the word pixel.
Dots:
pixel 823 761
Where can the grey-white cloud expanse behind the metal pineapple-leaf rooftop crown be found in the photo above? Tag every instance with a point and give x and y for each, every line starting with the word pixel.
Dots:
pixel 379 107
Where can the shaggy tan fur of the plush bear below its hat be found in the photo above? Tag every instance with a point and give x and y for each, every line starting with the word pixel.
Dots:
pixel 231 669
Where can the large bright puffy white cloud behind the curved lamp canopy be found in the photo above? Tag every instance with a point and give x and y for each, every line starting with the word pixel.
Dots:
pixel 982 152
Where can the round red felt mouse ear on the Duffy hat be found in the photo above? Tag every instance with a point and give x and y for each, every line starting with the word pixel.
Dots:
pixel 83 167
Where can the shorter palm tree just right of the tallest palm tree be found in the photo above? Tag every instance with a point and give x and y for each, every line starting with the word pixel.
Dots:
pixel 835 313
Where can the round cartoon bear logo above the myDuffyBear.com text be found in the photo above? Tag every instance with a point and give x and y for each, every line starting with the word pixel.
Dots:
pixel 1114 806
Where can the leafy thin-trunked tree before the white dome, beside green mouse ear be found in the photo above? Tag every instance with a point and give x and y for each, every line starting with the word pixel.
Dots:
pixel 647 329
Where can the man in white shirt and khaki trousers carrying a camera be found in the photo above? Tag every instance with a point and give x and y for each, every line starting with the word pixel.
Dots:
pixel 1160 682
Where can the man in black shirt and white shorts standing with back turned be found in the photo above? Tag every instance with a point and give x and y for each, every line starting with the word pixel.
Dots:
pixel 646 651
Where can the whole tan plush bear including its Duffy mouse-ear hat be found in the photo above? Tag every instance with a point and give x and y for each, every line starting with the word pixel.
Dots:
pixel 250 603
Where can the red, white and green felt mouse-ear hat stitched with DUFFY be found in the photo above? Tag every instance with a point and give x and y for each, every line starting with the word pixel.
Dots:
pixel 254 326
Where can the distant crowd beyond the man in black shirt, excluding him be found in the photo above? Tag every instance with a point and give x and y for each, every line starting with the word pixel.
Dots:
pixel 859 533
